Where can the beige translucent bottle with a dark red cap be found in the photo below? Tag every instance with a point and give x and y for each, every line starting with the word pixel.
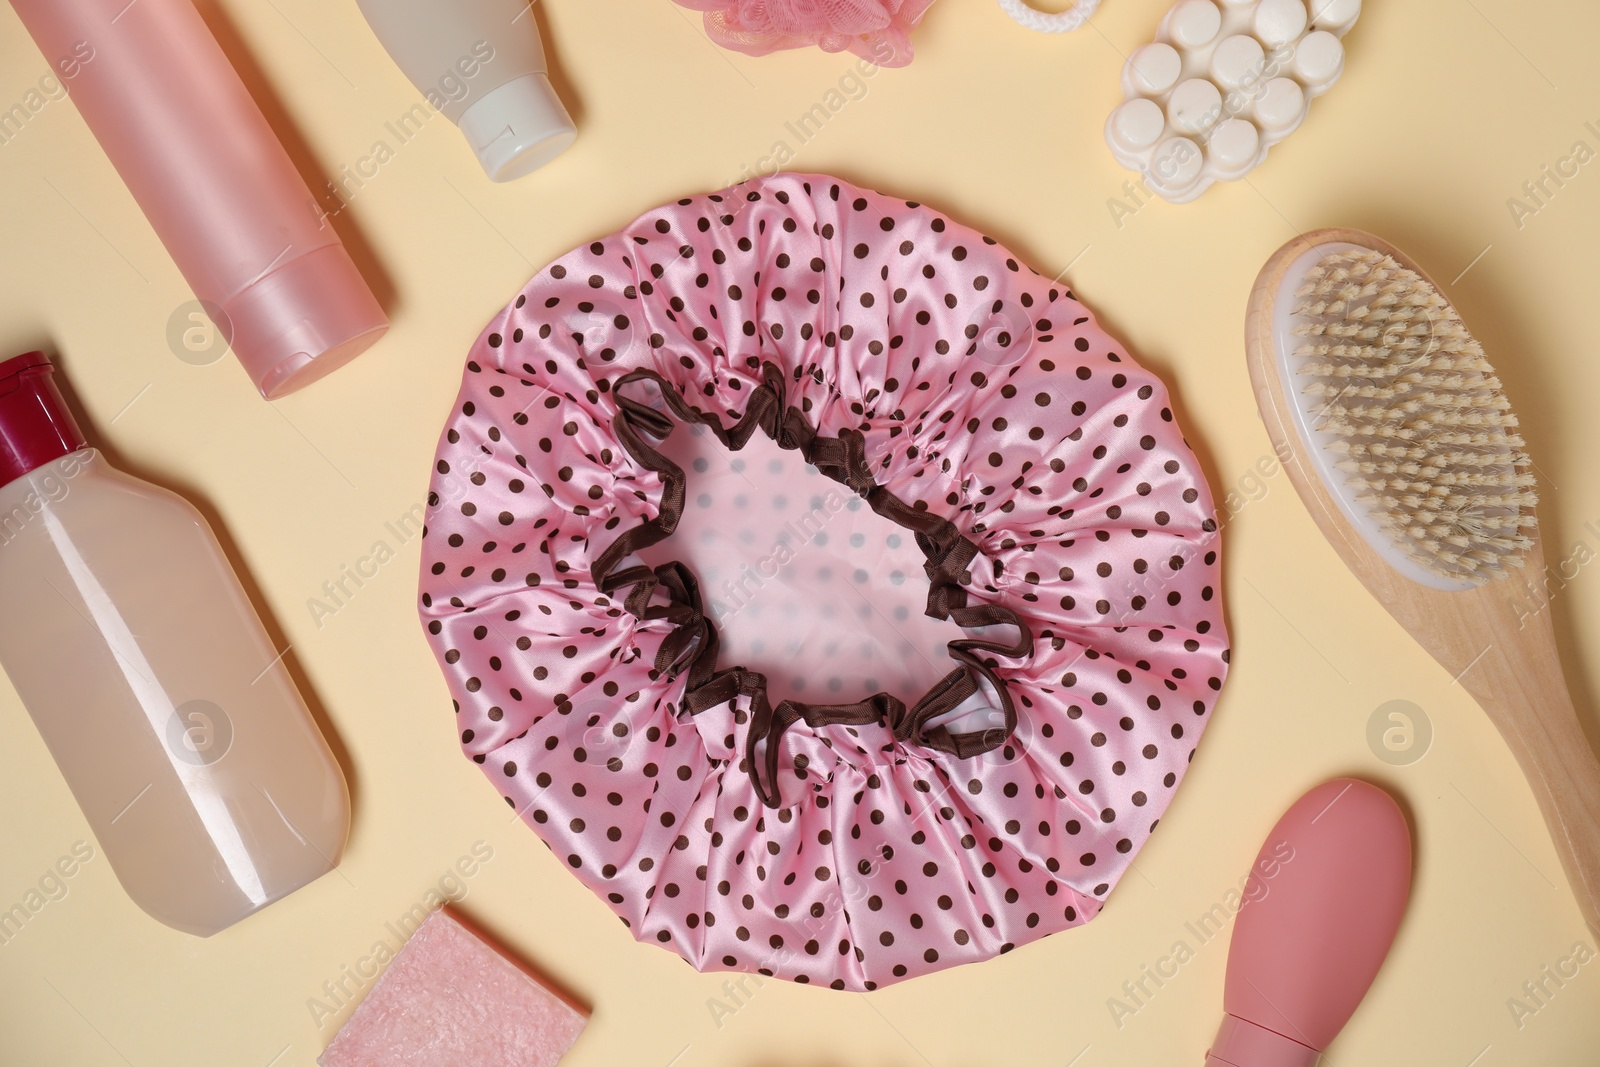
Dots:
pixel 159 693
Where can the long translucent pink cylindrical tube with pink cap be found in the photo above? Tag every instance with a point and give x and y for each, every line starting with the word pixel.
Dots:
pixel 215 183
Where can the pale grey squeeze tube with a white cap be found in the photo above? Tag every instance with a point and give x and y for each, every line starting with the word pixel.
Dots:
pixel 482 65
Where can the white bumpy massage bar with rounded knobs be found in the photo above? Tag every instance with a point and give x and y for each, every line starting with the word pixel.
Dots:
pixel 1223 82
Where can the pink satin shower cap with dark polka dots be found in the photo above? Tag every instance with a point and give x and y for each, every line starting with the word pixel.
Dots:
pixel 962 402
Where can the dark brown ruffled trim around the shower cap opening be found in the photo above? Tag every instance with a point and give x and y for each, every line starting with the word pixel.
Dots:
pixel 692 647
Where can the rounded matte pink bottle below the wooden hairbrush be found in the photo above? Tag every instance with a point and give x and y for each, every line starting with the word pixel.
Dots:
pixel 1334 882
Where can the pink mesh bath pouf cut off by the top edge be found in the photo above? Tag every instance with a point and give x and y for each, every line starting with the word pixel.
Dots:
pixel 874 30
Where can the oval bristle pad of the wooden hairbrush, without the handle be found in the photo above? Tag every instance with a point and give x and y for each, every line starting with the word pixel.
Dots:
pixel 1406 420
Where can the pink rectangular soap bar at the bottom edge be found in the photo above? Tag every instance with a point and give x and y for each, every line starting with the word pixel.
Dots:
pixel 454 999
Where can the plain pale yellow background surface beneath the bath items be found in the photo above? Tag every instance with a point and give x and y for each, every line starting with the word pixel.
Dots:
pixel 1446 110
